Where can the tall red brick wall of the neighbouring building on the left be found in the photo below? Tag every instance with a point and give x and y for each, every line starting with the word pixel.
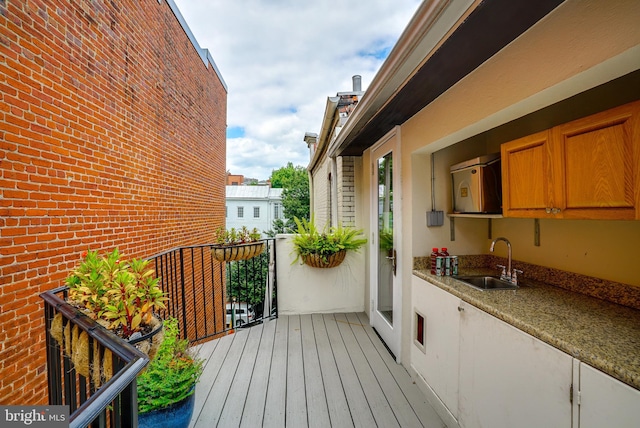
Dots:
pixel 112 134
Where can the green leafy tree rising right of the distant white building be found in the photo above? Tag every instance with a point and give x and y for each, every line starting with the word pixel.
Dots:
pixel 295 195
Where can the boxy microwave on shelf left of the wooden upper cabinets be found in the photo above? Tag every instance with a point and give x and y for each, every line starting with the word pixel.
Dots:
pixel 477 185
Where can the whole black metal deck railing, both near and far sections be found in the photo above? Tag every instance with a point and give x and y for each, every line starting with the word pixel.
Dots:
pixel 94 372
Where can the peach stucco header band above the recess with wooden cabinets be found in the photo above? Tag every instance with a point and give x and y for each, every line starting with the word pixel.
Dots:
pixel 569 51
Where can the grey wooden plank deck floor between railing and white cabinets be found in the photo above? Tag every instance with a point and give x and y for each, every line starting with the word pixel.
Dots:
pixel 323 371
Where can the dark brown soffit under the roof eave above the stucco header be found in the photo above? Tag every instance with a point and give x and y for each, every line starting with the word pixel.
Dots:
pixel 491 26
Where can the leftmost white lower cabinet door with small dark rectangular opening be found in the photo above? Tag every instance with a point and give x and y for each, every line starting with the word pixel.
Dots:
pixel 437 360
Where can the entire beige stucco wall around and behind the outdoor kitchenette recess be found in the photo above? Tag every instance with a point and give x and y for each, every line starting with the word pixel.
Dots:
pixel 579 46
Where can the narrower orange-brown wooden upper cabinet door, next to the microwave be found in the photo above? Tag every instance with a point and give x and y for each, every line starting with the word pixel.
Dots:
pixel 527 175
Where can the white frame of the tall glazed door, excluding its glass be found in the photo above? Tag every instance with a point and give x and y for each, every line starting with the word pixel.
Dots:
pixel 391 335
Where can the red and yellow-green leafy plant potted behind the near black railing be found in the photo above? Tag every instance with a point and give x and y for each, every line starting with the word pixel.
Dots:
pixel 122 295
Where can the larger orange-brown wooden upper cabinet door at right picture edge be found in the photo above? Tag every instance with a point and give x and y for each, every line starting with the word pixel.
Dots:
pixel 597 163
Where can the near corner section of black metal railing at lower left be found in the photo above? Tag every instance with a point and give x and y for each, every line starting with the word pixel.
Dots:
pixel 89 369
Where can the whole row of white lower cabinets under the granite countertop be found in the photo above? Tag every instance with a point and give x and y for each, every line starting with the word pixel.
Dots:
pixel 479 371
